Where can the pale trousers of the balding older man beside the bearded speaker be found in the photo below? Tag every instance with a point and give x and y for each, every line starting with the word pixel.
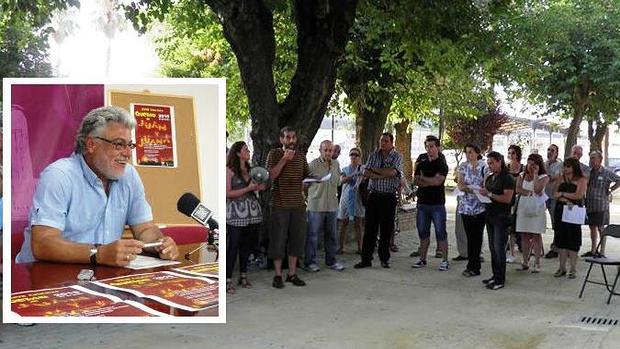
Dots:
pixel 317 222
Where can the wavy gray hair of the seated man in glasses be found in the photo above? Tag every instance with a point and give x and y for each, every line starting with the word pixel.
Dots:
pixel 97 119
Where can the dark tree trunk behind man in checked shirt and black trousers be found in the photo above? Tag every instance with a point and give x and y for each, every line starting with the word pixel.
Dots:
pixel 369 123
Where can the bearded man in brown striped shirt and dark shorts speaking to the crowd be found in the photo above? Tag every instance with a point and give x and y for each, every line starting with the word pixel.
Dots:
pixel 287 169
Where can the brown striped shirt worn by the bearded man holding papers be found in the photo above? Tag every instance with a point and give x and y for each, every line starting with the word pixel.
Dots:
pixel 287 191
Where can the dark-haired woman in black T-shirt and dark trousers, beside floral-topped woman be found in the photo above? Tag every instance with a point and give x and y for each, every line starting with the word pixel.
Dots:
pixel 499 188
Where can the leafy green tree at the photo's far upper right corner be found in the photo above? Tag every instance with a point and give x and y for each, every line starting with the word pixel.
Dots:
pixel 563 53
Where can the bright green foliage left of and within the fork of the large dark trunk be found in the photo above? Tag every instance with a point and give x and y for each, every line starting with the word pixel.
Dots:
pixel 191 43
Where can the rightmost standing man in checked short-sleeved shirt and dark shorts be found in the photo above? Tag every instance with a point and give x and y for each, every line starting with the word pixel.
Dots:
pixel 597 200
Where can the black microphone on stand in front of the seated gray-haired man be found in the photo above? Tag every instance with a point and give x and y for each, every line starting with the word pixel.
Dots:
pixel 191 206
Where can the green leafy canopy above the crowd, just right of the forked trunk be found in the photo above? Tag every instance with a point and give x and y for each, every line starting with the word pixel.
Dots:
pixel 425 55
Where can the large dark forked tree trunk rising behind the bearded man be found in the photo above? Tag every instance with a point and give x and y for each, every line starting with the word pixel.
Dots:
pixel 322 28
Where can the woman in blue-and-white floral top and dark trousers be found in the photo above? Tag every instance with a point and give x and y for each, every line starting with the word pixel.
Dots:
pixel 472 210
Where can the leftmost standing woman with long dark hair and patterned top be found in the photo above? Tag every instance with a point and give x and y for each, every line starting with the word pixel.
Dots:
pixel 243 213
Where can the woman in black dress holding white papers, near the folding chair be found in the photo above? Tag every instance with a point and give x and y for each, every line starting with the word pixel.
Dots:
pixel 569 193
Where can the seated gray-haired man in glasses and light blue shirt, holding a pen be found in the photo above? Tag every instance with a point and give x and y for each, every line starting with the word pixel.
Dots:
pixel 82 202
